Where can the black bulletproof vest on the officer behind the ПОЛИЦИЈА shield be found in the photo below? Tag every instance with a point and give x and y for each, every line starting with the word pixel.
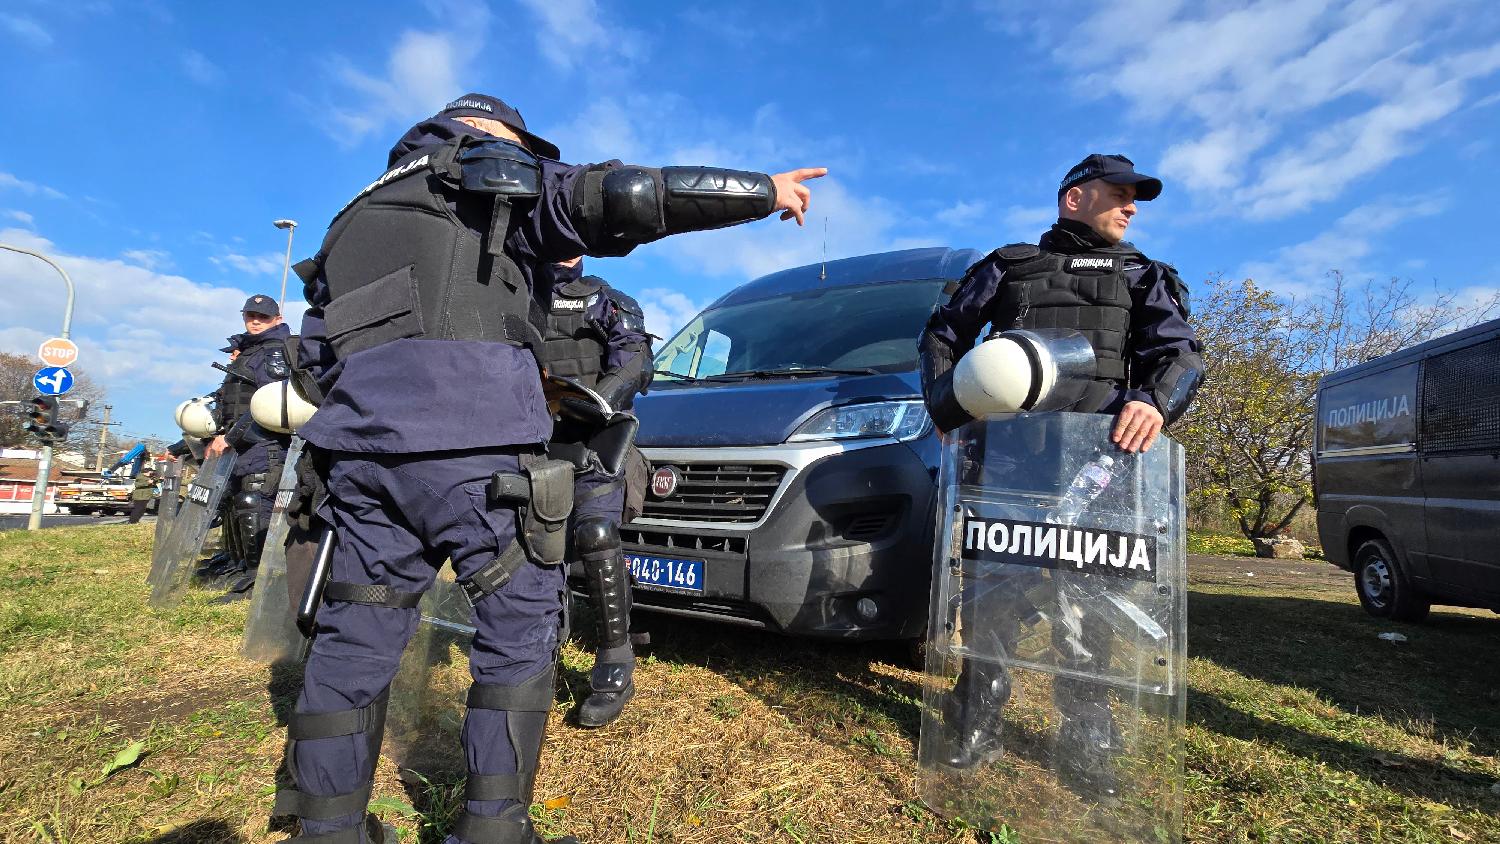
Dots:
pixel 1084 292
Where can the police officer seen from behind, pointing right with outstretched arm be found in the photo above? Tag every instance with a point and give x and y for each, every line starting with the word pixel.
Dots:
pixel 422 356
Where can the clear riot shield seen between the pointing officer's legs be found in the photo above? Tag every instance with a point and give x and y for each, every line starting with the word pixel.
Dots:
pixel 427 699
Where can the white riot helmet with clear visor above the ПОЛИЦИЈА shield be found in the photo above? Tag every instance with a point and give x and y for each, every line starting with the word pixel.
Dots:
pixel 1024 371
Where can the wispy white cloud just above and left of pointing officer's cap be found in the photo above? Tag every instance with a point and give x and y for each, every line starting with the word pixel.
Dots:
pixel 424 71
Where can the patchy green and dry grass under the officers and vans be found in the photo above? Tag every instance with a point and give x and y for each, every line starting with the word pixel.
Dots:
pixel 125 725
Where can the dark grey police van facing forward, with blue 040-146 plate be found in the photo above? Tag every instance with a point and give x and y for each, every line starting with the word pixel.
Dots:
pixel 794 465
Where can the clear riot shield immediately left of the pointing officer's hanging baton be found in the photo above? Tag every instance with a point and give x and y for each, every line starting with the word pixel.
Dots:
pixel 271 630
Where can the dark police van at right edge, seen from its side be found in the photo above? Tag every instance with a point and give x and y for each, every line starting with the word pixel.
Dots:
pixel 1408 474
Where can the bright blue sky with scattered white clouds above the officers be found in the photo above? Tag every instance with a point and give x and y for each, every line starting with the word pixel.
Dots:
pixel 149 146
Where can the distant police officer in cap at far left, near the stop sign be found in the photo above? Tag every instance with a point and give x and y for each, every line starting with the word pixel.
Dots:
pixel 259 358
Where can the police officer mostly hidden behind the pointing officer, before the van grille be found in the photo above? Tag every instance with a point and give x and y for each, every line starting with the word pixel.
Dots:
pixel 596 337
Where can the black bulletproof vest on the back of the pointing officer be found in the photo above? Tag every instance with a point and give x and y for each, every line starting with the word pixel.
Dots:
pixel 400 263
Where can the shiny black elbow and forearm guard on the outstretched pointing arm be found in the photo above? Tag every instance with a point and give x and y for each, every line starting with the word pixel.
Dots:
pixel 644 205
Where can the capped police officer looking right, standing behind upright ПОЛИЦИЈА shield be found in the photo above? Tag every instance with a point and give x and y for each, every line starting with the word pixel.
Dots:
pixel 1133 311
